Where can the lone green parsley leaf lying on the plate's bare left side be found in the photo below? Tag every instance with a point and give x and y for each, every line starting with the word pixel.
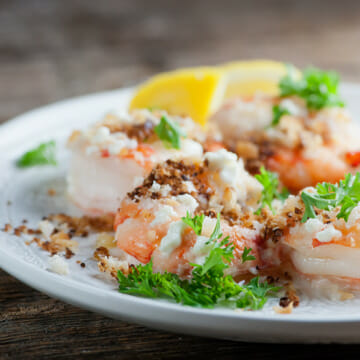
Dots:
pixel 44 154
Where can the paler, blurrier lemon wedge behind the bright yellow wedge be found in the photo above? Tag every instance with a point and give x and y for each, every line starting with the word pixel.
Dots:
pixel 245 78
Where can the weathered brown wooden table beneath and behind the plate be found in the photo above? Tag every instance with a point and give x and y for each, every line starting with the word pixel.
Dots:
pixel 50 50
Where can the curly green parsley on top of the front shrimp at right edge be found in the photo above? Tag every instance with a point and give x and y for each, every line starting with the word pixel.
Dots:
pixel 345 194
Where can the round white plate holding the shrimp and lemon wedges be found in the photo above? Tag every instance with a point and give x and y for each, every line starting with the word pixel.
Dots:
pixel 312 321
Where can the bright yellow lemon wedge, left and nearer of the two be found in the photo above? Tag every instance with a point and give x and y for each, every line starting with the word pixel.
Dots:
pixel 195 92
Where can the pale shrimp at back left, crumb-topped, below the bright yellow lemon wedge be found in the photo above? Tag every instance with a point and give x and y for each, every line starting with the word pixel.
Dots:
pixel 111 157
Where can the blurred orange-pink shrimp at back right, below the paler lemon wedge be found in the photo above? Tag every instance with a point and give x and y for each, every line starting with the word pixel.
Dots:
pixel 304 148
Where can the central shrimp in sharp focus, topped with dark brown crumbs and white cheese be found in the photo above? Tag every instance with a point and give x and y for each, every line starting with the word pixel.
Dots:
pixel 149 223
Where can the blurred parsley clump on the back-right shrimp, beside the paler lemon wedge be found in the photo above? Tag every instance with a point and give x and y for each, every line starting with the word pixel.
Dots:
pixel 318 88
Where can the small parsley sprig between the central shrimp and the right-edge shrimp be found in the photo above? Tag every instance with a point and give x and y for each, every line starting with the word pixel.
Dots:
pixel 270 182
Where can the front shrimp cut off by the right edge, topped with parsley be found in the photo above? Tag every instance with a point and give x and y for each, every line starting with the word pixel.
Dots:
pixel 324 250
